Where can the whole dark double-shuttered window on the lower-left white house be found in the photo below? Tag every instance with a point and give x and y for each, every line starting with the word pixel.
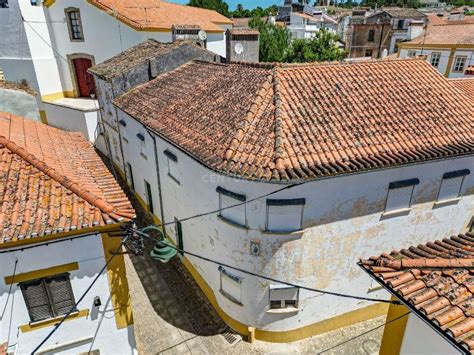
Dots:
pixel 48 297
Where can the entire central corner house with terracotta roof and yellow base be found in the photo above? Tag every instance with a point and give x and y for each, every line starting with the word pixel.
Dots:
pixel 370 142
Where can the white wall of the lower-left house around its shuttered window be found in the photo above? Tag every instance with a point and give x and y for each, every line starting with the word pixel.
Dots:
pixel 99 325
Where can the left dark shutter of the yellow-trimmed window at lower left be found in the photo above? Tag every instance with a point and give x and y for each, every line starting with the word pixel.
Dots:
pixel 36 299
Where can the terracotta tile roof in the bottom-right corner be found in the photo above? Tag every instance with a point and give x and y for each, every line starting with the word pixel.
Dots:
pixel 437 281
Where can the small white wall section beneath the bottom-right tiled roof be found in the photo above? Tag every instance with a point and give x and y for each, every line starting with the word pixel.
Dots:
pixel 420 339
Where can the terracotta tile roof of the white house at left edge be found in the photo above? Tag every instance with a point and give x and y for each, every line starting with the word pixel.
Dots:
pixel 53 182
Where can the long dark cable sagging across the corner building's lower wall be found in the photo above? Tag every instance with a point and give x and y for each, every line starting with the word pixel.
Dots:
pixel 331 293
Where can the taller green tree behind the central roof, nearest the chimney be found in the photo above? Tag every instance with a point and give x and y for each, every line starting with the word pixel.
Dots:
pixel 274 40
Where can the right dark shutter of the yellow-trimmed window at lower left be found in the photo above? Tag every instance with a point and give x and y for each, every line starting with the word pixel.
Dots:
pixel 62 298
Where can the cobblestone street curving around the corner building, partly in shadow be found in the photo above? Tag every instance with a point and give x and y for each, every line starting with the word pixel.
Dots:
pixel 173 316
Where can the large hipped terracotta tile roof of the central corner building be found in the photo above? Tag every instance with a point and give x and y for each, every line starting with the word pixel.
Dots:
pixel 294 122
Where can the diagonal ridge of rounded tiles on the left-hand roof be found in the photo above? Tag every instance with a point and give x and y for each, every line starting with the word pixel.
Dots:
pixel 73 186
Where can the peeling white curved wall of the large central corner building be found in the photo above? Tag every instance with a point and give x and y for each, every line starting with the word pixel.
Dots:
pixel 343 221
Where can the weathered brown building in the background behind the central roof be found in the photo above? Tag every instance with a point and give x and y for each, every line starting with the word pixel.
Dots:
pixel 371 33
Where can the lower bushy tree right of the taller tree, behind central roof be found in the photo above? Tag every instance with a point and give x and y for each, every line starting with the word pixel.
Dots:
pixel 322 47
